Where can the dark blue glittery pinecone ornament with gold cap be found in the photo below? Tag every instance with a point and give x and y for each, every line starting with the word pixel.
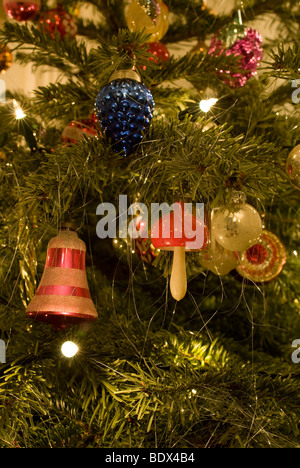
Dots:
pixel 124 108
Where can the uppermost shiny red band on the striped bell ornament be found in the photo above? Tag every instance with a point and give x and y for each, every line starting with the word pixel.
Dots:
pixel 66 258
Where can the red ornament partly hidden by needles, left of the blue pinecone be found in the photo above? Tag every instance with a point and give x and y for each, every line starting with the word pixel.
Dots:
pixel 77 130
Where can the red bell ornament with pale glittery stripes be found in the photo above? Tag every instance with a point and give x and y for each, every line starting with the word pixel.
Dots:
pixel 63 297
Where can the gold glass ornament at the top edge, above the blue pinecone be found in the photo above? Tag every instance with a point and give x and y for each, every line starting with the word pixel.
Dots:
pixel 138 18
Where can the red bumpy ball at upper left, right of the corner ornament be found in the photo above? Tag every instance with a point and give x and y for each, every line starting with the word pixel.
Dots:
pixel 59 21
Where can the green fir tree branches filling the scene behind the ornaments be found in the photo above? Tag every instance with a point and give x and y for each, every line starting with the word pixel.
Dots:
pixel 215 369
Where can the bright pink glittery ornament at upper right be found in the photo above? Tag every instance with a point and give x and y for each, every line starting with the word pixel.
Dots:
pixel 248 48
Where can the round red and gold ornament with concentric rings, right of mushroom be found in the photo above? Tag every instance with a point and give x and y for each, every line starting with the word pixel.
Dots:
pixel 264 261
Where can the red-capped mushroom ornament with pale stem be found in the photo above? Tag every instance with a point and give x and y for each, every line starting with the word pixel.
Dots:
pixel 179 231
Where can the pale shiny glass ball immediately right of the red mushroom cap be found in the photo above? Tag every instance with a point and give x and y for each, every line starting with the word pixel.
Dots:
pixel 238 230
